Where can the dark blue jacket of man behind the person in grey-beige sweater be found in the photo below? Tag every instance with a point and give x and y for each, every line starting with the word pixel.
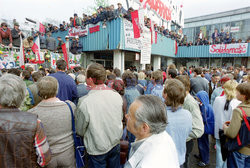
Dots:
pixel 67 86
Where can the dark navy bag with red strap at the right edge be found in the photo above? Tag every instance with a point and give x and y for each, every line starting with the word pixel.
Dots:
pixel 243 137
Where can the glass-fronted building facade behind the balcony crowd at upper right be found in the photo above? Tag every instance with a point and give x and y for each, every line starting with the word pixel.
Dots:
pixel 237 22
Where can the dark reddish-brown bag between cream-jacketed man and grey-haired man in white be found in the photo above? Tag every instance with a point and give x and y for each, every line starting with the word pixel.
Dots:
pixel 124 146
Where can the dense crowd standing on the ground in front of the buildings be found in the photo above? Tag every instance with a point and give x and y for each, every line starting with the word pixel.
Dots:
pixel 160 113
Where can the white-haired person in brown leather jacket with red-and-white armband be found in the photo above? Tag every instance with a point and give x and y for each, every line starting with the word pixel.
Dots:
pixel 22 136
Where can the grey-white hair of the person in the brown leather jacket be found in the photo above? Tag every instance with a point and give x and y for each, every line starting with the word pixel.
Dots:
pixel 12 91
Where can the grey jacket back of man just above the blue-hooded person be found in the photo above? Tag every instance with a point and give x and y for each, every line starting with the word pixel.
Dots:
pixel 198 84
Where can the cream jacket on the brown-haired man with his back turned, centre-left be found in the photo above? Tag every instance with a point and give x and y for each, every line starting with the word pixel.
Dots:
pixel 99 120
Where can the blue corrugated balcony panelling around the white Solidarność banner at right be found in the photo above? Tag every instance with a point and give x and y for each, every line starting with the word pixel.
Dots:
pixel 203 52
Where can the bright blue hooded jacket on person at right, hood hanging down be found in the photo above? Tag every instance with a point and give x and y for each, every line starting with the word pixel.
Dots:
pixel 206 112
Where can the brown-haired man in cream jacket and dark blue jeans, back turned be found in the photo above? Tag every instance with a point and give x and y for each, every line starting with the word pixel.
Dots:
pixel 99 120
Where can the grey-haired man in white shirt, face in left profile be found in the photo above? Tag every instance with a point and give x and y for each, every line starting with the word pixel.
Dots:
pixel 153 147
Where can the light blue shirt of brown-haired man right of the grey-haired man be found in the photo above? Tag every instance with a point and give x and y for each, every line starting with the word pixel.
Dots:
pixel 179 127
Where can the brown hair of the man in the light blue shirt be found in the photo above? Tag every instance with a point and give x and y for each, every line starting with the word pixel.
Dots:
pixel 175 91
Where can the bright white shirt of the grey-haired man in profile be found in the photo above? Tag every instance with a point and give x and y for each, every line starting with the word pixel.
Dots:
pixel 157 151
